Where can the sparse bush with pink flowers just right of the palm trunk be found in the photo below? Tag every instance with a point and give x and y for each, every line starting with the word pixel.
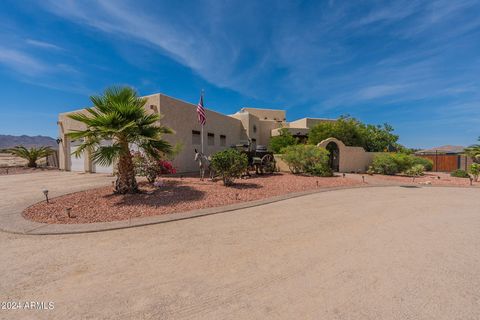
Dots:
pixel 151 168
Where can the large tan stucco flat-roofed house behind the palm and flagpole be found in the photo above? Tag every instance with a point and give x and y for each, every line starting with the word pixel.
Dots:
pixel 220 132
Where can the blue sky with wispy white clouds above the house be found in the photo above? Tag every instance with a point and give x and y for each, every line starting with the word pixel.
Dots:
pixel 415 65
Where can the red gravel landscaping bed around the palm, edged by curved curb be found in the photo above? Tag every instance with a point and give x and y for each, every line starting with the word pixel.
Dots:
pixel 176 195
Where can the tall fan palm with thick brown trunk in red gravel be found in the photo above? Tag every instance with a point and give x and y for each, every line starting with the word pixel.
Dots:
pixel 119 115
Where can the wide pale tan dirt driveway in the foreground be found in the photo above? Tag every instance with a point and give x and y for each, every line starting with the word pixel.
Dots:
pixel 373 253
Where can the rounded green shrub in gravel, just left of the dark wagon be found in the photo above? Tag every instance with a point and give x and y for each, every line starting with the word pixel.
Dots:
pixel 229 164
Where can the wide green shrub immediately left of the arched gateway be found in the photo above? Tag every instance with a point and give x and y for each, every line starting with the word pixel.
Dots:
pixel 307 159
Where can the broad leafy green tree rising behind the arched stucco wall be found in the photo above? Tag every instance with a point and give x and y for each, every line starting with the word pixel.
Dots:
pixel 352 132
